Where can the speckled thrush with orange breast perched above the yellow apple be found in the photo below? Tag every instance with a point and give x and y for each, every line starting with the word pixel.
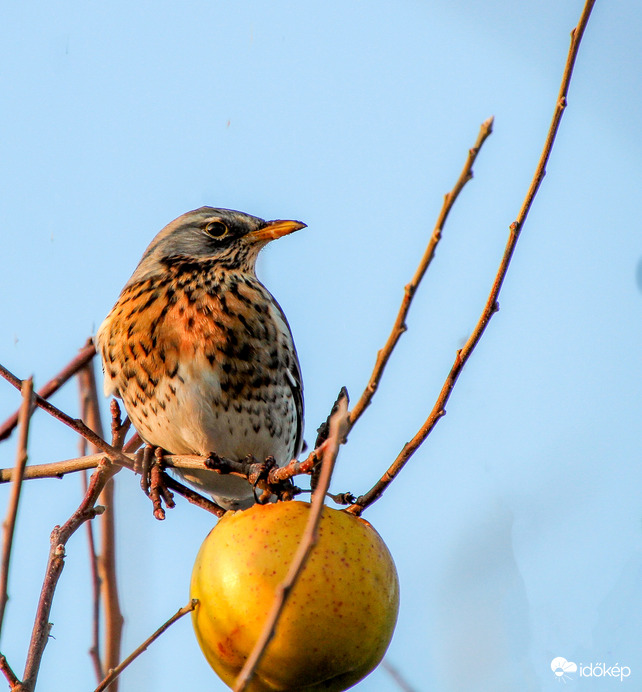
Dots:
pixel 201 353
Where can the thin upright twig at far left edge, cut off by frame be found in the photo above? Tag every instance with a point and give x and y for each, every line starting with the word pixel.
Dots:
pixel 9 524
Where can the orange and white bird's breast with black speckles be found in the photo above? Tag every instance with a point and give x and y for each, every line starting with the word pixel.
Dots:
pixel 200 363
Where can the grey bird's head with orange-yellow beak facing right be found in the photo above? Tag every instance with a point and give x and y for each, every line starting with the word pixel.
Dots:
pixel 223 236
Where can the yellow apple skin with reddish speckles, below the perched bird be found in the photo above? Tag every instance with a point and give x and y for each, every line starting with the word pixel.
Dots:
pixel 338 619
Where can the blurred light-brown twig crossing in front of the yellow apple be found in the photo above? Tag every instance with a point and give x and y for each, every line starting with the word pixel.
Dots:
pixel 338 430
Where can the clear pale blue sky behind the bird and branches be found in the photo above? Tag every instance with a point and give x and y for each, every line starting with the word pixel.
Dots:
pixel 517 527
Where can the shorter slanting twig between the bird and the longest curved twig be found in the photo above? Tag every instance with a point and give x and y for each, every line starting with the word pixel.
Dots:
pixel 410 289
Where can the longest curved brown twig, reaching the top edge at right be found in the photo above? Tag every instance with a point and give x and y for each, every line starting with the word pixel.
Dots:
pixel 491 304
